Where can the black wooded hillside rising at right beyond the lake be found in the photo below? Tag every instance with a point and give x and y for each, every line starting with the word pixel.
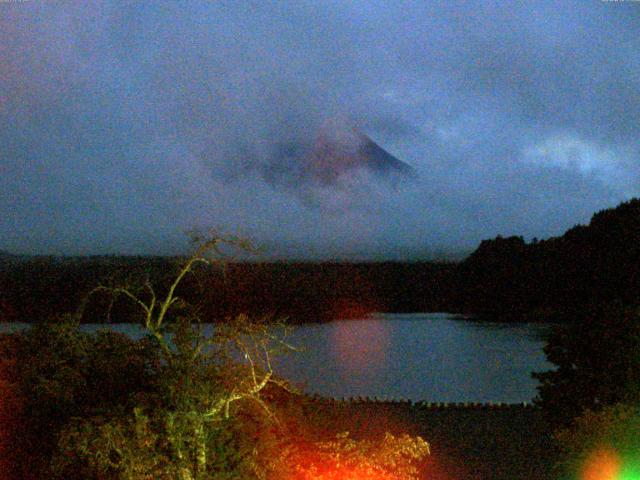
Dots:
pixel 588 265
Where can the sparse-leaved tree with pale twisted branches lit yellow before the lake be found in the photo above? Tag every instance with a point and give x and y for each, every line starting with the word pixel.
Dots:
pixel 206 372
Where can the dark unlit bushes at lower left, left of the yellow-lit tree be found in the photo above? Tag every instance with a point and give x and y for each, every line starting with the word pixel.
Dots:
pixel 53 372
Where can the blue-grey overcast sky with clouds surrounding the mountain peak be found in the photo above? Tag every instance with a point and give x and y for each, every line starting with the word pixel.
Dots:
pixel 122 124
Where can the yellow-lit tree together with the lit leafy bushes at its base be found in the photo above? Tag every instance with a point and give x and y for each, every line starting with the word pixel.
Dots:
pixel 208 391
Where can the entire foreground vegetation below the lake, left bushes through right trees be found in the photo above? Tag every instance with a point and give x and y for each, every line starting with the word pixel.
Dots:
pixel 182 404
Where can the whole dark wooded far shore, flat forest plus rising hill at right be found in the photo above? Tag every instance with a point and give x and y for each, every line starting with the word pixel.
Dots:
pixel 506 278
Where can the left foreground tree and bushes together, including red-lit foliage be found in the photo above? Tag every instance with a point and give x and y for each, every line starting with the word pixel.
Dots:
pixel 182 403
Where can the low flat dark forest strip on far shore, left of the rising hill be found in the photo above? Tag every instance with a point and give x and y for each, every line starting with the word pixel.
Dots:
pixel 300 291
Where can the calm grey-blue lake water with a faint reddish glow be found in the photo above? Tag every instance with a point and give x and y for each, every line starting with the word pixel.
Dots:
pixel 435 357
